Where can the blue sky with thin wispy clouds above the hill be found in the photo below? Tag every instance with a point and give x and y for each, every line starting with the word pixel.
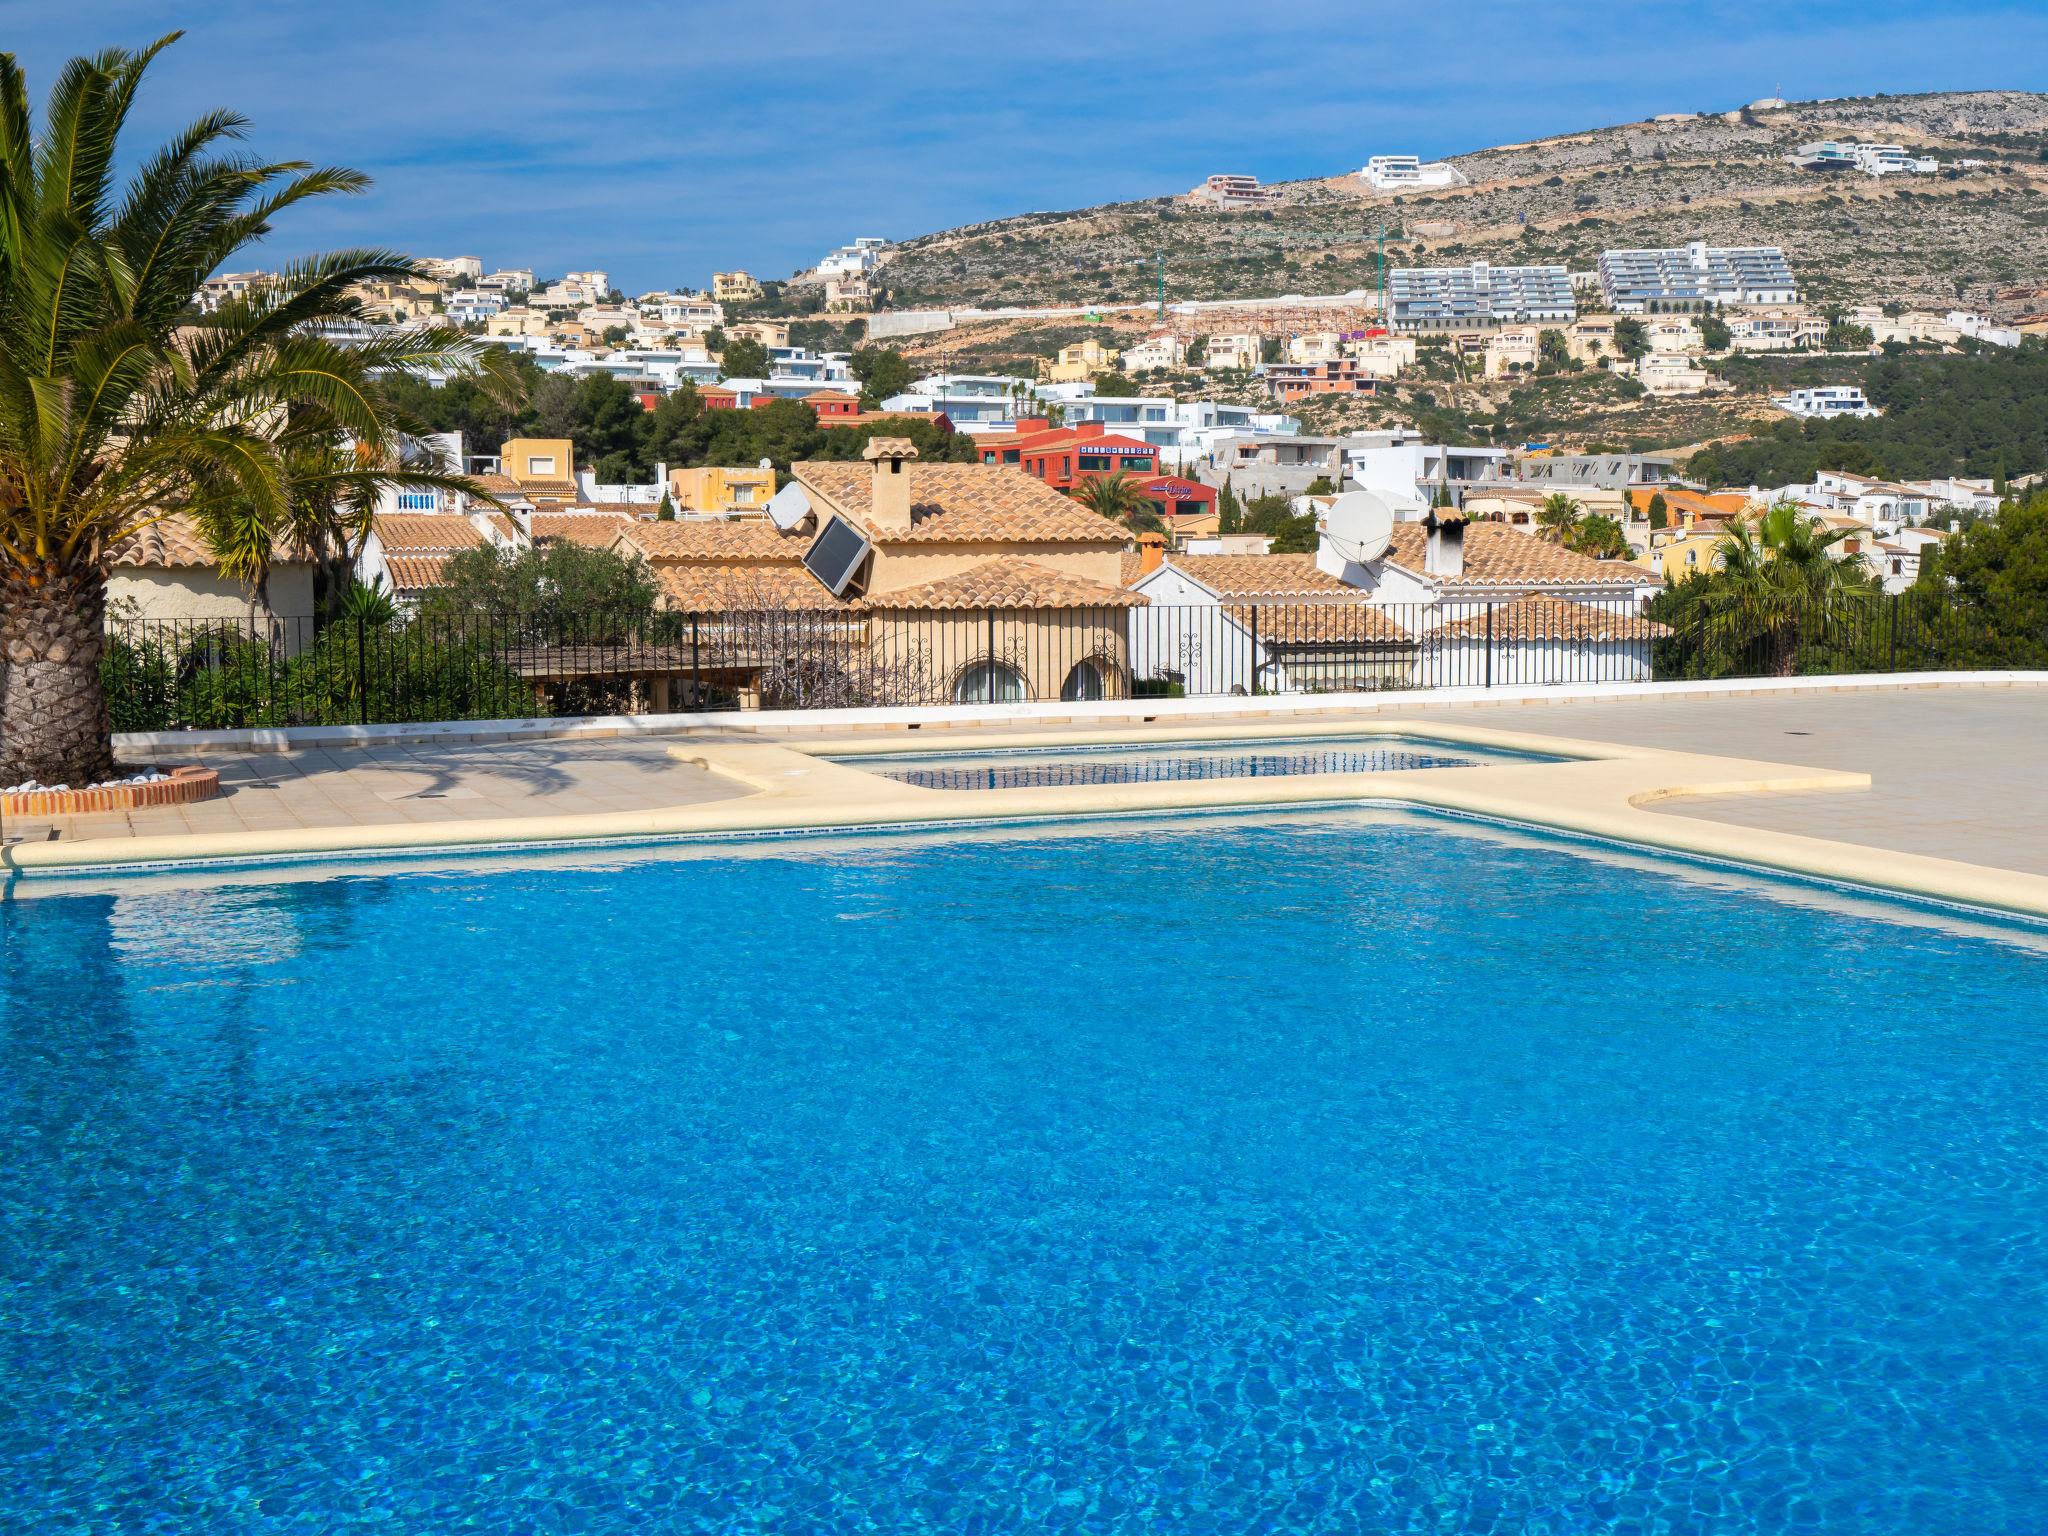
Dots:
pixel 667 140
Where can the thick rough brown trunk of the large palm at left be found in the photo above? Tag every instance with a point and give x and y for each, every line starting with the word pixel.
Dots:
pixel 54 724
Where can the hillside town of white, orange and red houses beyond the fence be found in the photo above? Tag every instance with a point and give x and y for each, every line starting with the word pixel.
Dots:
pixel 1218 495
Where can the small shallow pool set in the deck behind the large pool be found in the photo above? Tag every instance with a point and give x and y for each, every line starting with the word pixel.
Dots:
pixel 1179 761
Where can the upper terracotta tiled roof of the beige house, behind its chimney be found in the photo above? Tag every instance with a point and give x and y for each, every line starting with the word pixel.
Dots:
pixel 966 505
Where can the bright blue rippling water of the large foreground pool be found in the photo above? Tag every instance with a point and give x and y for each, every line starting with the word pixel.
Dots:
pixel 1324 1175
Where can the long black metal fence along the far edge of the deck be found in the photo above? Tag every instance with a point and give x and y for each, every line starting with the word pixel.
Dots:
pixel 214 675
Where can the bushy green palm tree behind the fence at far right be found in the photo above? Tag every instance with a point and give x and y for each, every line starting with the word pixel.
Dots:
pixel 1781 570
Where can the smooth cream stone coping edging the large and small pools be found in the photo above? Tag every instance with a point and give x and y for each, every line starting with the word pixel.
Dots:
pixel 1596 790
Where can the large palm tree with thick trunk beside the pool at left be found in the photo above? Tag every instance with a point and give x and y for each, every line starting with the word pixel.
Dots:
pixel 118 411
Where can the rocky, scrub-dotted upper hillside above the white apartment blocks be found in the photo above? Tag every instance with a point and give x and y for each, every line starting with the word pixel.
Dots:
pixel 1971 237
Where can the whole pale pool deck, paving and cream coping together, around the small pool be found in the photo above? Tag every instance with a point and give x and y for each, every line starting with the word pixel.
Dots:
pixel 1953 775
